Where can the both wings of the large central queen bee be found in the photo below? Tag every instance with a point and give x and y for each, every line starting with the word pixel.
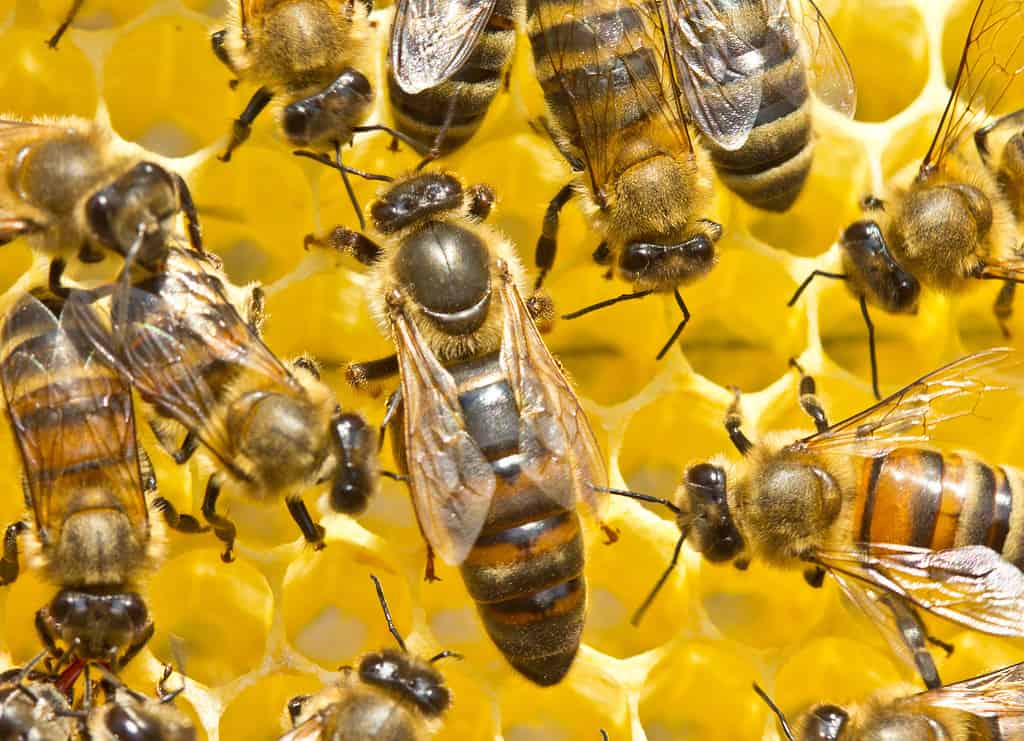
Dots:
pixel 451 480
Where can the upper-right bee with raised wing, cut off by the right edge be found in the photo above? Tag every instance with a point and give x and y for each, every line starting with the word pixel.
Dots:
pixel 956 222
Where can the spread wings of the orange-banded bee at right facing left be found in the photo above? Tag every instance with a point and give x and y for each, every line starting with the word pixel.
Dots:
pixel 973 586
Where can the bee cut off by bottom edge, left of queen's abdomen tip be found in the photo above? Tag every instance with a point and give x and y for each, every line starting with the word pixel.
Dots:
pixel 393 695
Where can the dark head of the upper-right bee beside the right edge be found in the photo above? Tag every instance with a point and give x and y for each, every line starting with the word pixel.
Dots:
pixel 873 269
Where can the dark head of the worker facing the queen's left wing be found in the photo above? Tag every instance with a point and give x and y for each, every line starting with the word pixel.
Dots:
pixel 356 473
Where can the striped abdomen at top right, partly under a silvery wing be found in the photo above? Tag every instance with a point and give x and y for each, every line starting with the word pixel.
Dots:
pixel 770 170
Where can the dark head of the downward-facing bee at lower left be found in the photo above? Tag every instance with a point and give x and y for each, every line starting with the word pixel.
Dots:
pixel 97 628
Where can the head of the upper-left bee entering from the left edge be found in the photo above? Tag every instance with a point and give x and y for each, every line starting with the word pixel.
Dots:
pixel 137 206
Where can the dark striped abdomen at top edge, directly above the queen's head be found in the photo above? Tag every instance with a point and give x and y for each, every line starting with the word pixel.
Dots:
pixel 459 105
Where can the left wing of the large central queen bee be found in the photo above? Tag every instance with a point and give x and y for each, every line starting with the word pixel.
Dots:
pixel 451 481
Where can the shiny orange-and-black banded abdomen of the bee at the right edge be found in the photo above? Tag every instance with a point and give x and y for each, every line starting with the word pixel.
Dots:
pixel 929 500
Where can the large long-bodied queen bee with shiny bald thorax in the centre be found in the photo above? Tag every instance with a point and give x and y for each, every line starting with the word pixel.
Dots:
pixel 499 450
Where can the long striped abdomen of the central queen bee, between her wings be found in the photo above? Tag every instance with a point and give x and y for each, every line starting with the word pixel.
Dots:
pixel 526 572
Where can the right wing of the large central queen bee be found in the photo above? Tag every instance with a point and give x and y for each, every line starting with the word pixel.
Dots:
pixel 560 451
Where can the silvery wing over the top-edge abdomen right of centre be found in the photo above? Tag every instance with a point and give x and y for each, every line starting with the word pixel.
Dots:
pixel 719 72
